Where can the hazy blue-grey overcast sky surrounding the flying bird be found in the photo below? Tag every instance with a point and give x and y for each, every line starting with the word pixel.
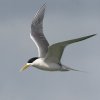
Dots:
pixel 64 19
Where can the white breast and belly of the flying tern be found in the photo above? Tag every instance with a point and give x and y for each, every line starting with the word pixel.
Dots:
pixel 49 66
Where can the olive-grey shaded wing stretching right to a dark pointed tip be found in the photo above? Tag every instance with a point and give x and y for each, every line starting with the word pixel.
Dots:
pixel 55 51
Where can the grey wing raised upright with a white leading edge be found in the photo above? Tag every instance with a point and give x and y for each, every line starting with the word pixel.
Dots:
pixel 37 32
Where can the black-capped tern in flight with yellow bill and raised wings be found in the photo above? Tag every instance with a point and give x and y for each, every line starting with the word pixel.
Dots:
pixel 49 55
